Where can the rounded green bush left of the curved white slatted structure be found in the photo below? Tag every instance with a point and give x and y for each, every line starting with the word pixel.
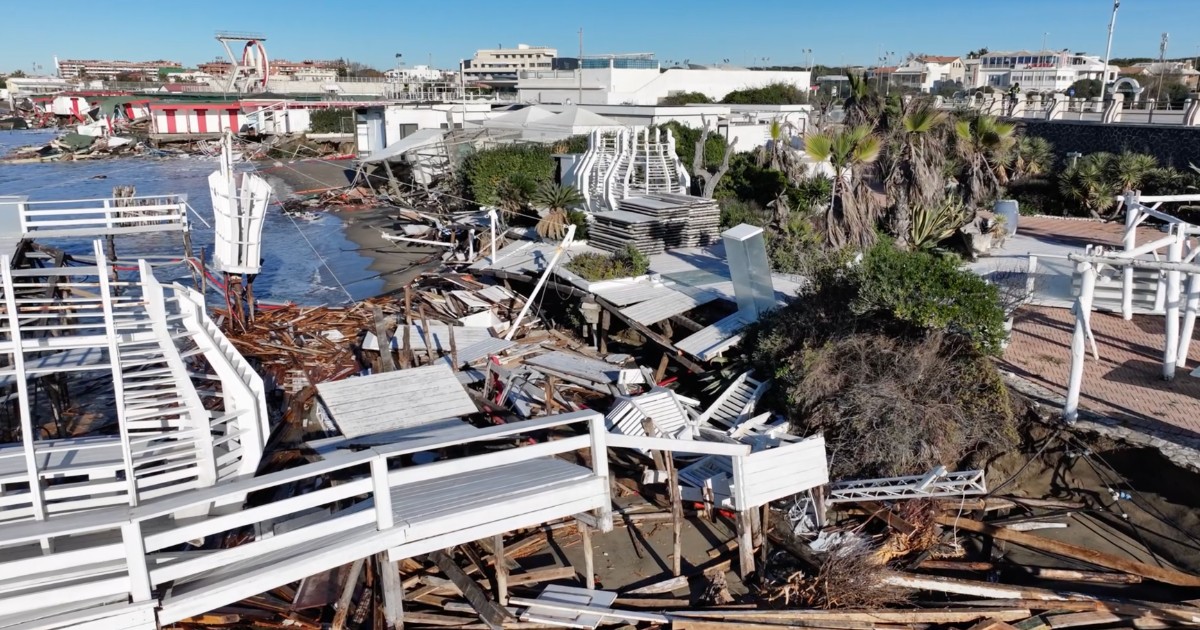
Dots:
pixel 524 166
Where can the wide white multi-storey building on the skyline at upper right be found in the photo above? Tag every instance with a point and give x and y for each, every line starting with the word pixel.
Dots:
pixel 1045 71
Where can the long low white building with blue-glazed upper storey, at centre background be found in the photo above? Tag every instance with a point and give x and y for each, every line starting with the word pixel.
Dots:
pixel 640 80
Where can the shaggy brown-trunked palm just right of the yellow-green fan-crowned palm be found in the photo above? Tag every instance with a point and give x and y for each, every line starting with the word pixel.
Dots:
pixel 917 172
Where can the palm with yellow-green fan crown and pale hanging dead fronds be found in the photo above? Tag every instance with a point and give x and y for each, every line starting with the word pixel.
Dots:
pixel 850 218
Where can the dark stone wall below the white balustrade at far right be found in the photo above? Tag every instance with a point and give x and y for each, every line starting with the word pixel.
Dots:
pixel 1173 146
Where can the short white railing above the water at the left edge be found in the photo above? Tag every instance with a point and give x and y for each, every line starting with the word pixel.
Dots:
pixel 93 218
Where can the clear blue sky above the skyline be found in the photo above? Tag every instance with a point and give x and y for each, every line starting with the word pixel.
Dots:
pixel 373 32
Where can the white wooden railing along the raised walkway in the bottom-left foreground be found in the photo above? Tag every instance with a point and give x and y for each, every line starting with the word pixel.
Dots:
pixel 140 560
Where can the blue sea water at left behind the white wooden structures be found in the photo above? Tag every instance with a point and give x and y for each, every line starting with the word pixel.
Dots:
pixel 308 262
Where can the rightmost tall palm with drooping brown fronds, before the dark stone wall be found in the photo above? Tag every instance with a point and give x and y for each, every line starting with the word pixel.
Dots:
pixel 986 145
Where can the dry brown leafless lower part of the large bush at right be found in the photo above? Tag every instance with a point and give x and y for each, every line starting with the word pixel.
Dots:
pixel 891 407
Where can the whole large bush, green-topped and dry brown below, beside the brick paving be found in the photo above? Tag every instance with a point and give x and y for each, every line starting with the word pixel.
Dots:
pixel 890 359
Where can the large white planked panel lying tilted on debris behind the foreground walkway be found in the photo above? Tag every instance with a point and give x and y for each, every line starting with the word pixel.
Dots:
pixel 392 401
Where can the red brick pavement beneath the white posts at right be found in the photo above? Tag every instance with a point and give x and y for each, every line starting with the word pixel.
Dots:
pixel 1125 385
